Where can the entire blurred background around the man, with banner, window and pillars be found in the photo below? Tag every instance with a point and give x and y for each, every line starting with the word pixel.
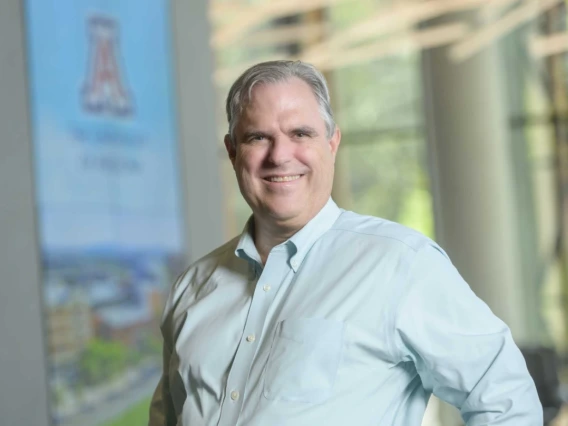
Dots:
pixel 454 115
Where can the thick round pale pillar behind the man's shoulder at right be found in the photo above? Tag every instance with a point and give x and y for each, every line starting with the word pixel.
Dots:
pixel 469 143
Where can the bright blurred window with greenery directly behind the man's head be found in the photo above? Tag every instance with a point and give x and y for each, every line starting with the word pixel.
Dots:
pixel 381 167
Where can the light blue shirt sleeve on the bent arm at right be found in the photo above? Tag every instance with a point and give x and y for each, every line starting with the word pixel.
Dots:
pixel 463 353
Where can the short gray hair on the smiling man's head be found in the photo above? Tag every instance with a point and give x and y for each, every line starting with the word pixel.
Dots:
pixel 272 72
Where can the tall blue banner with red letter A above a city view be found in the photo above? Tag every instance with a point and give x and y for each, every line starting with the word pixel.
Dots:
pixel 109 201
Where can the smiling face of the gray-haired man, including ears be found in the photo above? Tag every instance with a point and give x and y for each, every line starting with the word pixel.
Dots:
pixel 283 159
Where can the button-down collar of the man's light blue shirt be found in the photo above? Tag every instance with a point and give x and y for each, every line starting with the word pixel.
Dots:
pixel 300 243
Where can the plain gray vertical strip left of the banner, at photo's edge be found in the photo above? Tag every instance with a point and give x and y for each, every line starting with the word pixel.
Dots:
pixel 23 385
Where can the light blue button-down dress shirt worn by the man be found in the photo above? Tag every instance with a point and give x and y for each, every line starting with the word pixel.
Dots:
pixel 354 320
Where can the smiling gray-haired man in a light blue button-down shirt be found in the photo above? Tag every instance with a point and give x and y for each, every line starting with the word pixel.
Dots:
pixel 320 316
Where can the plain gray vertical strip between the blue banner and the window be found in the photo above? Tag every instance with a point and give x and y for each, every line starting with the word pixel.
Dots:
pixel 197 127
